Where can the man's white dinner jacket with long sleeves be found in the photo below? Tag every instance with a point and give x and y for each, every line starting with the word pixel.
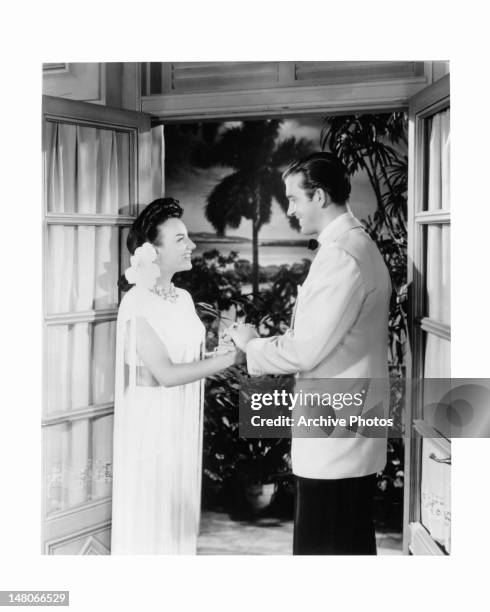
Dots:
pixel 340 329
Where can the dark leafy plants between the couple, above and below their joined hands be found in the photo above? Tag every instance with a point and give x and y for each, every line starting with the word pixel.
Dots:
pixel 215 282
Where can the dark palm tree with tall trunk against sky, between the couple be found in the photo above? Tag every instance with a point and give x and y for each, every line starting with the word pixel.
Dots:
pixel 252 150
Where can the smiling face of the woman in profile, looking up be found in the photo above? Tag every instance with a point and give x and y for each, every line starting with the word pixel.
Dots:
pixel 174 252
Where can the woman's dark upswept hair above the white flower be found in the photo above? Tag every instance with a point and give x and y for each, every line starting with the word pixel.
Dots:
pixel 145 227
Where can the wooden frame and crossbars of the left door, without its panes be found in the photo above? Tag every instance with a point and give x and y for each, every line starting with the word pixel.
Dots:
pixel 97 512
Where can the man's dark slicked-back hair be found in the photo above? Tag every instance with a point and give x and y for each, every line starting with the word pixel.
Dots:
pixel 322 171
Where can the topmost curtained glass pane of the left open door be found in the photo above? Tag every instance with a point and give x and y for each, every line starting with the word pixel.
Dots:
pixel 87 169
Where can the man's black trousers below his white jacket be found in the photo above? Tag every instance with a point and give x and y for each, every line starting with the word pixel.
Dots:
pixel 334 517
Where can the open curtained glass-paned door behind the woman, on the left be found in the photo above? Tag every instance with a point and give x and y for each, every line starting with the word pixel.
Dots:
pixel 96 171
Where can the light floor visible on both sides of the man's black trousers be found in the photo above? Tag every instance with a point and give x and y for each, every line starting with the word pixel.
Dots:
pixel 221 535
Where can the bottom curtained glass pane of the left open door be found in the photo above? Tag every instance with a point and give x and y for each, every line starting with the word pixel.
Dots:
pixel 78 462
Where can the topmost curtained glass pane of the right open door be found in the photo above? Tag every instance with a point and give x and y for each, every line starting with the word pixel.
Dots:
pixel 438 162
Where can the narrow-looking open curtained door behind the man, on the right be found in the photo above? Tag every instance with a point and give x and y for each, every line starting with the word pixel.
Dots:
pixel 427 512
